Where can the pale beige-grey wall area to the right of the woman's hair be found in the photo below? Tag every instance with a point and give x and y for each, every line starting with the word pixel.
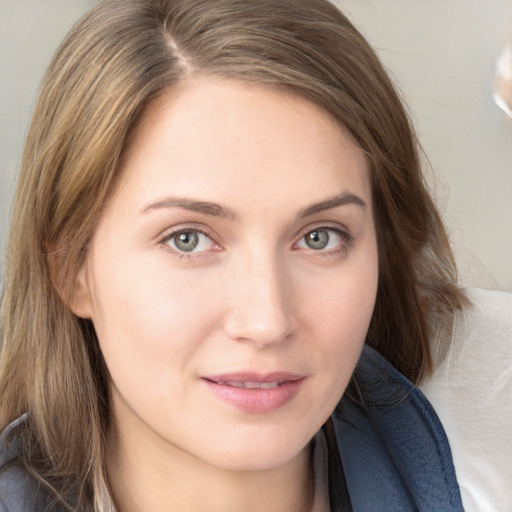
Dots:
pixel 442 54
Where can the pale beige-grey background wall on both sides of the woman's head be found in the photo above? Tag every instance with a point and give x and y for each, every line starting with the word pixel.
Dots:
pixel 441 53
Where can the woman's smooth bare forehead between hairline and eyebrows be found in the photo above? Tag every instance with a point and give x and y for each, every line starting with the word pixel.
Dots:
pixel 220 136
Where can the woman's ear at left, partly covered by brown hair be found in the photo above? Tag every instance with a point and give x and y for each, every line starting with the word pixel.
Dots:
pixel 74 290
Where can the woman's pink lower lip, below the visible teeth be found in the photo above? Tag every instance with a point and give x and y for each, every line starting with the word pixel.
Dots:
pixel 257 400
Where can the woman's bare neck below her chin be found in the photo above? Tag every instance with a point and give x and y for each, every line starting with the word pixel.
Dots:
pixel 149 474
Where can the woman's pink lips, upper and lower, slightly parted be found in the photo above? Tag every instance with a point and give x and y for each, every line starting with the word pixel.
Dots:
pixel 255 393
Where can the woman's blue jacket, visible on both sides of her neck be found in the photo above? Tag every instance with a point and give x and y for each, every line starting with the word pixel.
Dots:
pixel 387 452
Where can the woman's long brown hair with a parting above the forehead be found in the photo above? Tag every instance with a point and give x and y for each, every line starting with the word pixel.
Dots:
pixel 119 57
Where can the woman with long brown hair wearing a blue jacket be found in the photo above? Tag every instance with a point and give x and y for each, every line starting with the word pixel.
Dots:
pixel 220 203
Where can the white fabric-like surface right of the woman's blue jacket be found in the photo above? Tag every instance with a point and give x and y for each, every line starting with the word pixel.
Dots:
pixel 471 388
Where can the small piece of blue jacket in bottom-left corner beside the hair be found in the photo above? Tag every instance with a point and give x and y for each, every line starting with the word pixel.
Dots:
pixel 19 491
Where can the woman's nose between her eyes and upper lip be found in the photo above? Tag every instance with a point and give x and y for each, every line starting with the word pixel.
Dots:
pixel 259 301
